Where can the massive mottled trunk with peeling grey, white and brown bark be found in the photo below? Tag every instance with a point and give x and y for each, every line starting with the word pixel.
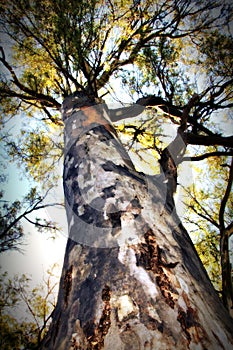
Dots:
pixel 131 277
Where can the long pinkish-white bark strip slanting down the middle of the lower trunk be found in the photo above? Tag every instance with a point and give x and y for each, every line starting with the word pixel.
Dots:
pixel 128 258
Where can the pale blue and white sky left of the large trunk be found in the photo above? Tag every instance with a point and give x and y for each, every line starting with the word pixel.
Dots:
pixel 39 250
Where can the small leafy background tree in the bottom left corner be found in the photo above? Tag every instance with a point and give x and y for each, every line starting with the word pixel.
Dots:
pixel 25 328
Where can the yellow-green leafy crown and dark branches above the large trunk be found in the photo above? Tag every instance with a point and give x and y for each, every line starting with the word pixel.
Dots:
pixel 84 46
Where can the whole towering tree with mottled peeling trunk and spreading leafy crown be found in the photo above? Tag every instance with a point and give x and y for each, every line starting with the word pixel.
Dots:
pixel 131 274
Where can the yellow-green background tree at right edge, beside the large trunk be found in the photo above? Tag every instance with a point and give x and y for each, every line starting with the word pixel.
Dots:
pixel 211 220
